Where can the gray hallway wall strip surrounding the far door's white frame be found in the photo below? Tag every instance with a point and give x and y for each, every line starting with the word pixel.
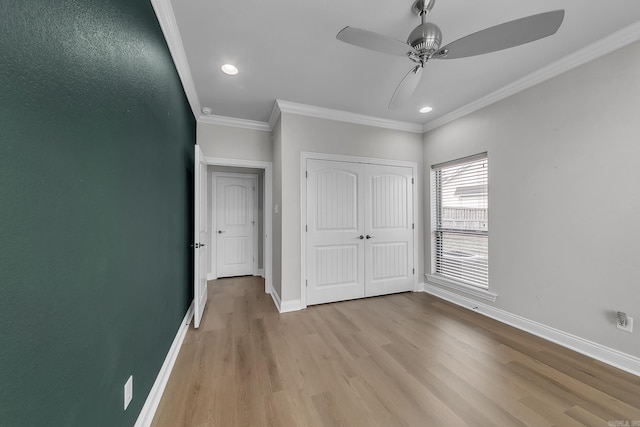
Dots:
pixel 259 221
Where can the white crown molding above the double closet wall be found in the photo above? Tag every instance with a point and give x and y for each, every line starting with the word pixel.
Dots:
pixel 341 116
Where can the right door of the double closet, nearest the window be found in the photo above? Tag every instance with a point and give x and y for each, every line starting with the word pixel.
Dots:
pixel 389 230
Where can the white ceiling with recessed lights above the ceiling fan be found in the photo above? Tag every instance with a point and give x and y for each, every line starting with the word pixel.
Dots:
pixel 287 50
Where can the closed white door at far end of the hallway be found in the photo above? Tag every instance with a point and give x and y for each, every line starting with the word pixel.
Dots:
pixel 235 226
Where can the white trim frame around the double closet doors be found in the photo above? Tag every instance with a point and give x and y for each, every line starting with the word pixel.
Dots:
pixel 306 155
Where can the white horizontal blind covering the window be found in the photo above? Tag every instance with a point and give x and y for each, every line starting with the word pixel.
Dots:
pixel 461 221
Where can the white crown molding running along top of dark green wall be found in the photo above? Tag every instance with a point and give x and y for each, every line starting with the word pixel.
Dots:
pixel 169 26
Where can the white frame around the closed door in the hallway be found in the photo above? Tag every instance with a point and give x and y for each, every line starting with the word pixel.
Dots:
pixel 214 217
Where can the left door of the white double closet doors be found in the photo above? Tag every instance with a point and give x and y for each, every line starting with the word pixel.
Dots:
pixel 335 231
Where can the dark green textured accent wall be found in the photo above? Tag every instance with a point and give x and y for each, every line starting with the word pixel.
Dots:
pixel 96 170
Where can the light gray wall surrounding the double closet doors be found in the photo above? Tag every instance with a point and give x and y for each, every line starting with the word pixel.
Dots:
pixel 302 133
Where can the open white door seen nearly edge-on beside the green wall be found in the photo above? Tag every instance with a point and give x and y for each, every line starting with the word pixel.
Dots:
pixel 200 236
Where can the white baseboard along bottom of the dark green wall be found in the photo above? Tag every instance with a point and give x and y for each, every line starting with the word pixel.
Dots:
pixel 153 399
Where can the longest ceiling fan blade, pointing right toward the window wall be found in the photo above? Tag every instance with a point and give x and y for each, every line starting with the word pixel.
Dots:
pixel 504 36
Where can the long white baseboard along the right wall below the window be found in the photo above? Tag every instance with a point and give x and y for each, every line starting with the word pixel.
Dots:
pixel 612 357
